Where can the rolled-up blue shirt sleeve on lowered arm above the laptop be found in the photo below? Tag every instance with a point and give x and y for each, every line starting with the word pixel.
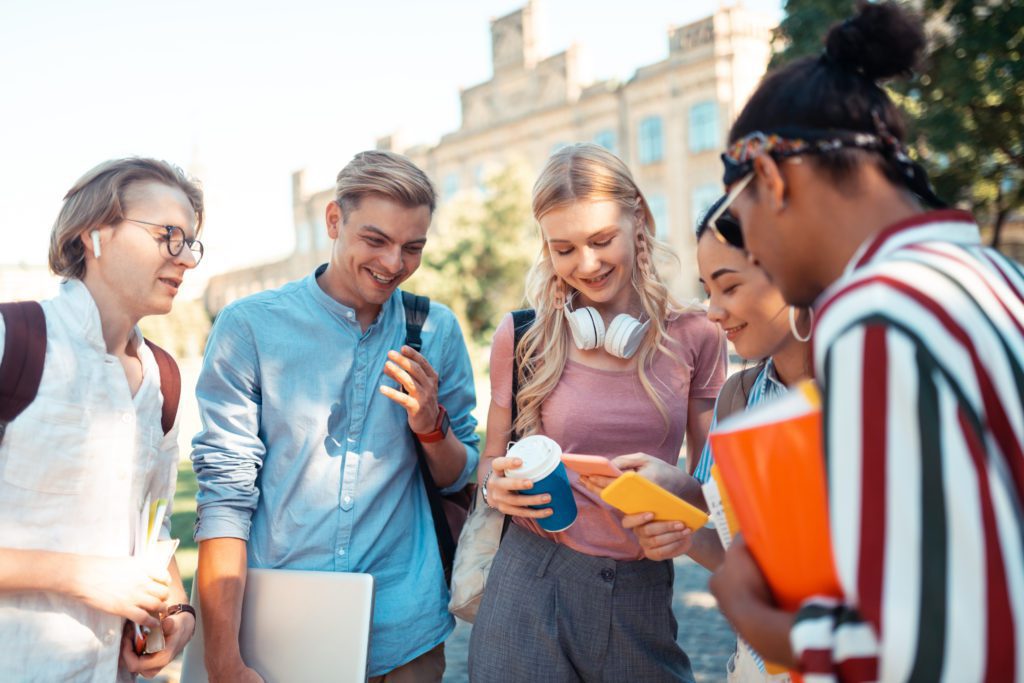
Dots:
pixel 228 453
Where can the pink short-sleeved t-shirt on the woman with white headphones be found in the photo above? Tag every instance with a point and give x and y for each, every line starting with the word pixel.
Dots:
pixel 608 413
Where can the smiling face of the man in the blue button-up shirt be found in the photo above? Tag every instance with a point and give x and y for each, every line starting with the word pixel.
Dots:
pixel 377 246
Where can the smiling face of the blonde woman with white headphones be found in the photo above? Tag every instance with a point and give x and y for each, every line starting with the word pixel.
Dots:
pixel 592 246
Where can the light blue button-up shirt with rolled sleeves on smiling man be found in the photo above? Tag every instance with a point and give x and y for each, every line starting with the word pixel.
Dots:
pixel 303 456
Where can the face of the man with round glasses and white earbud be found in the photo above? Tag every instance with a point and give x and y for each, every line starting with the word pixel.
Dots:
pixel 136 271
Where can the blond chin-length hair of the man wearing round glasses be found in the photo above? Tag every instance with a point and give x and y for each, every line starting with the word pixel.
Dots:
pixel 99 199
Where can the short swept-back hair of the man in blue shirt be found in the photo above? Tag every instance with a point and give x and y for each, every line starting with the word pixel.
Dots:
pixel 386 175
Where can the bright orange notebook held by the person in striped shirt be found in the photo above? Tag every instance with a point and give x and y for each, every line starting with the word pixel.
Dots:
pixel 772 463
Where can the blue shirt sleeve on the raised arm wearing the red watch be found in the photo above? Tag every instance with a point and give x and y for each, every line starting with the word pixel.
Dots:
pixel 457 394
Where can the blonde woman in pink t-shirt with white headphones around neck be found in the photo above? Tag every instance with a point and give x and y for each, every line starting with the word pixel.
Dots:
pixel 611 366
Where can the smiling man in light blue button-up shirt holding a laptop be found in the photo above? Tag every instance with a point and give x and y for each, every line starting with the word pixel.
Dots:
pixel 307 458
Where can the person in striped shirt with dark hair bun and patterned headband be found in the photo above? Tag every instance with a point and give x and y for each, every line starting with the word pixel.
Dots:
pixel 919 349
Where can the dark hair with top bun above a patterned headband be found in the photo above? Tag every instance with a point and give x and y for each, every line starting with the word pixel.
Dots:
pixel 839 91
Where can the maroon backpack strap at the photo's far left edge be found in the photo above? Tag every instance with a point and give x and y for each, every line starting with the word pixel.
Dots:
pixel 24 355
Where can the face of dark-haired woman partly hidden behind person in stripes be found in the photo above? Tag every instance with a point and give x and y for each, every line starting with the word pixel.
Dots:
pixel 743 302
